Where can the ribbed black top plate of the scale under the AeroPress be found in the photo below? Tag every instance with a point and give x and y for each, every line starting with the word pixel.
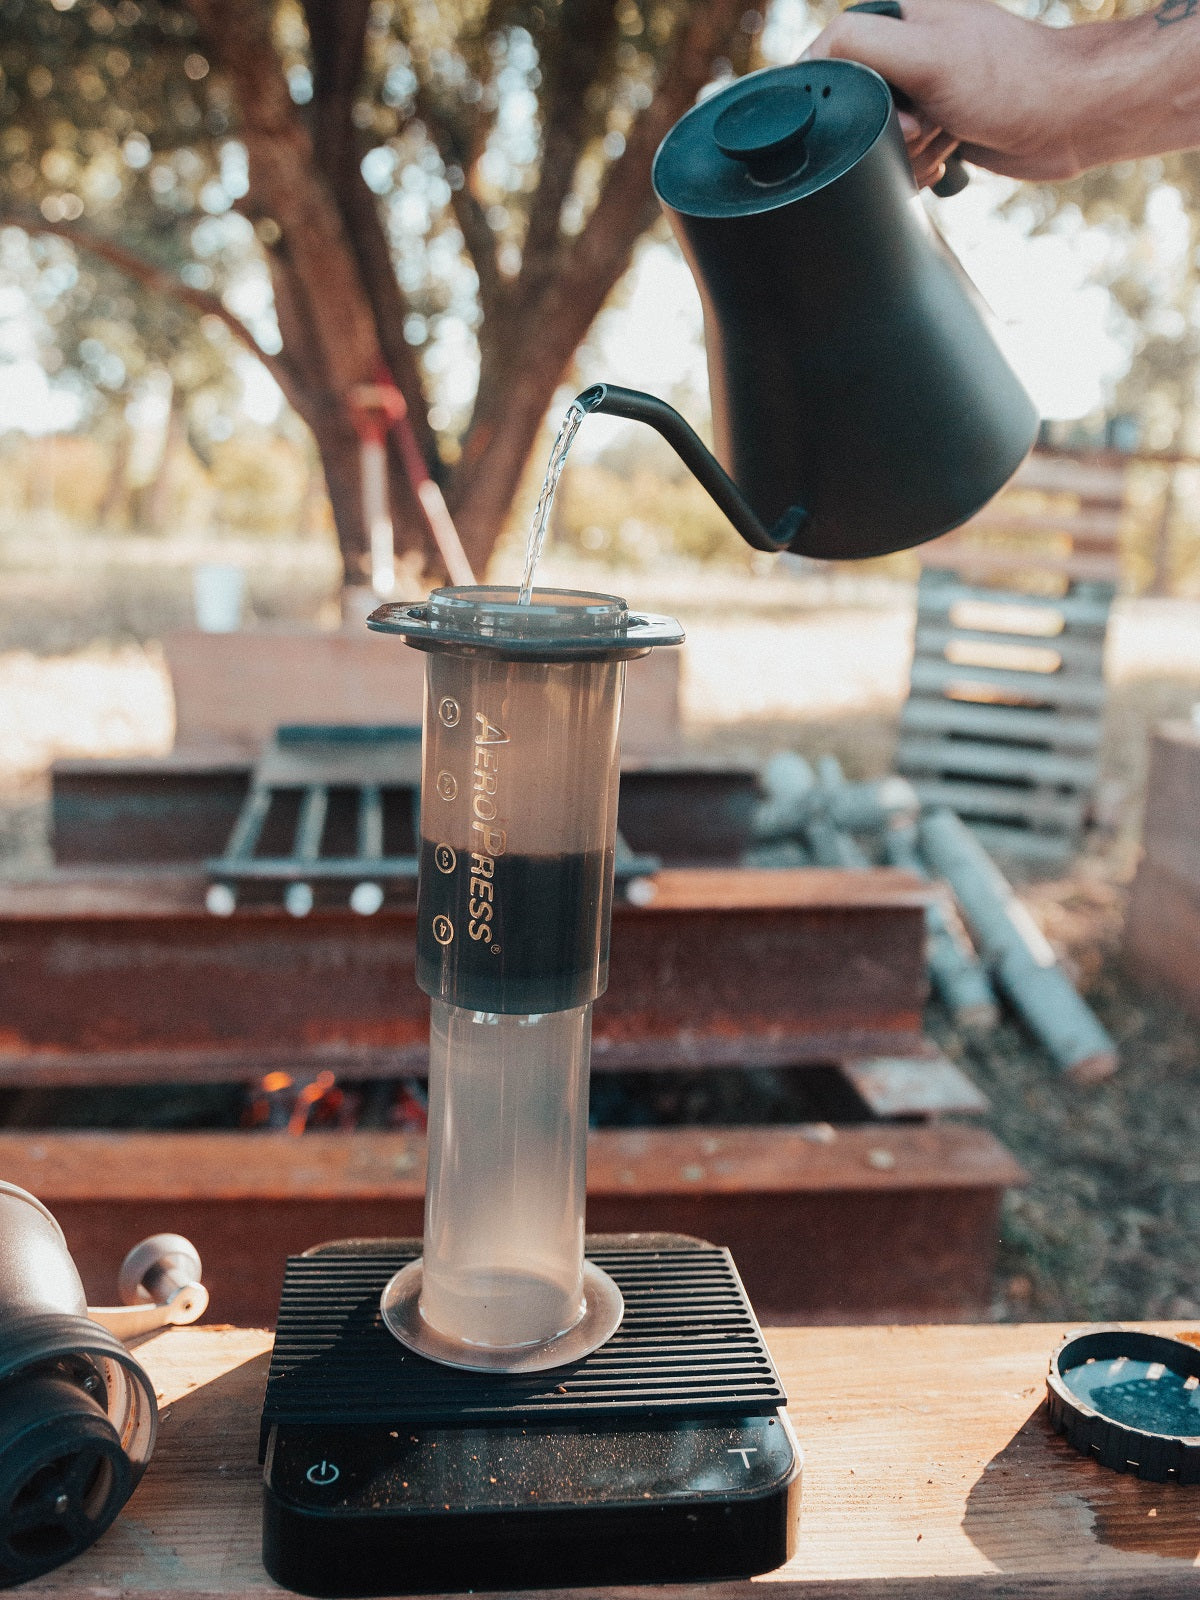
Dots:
pixel 689 1346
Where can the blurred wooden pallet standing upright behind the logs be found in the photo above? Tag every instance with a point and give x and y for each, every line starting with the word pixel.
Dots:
pixel 1007 692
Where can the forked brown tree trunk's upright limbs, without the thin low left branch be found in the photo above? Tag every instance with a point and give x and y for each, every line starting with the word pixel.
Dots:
pixel 338 300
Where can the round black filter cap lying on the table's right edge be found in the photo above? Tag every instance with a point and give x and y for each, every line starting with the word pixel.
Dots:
pixel 1130 1401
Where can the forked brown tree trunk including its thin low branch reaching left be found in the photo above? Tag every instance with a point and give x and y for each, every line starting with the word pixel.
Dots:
pixel 340 305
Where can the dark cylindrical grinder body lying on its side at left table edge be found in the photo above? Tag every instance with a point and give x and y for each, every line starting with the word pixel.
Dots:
pixel 78 1414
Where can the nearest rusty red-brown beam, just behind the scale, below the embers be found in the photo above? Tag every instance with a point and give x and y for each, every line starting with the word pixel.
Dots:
pixel 894 1223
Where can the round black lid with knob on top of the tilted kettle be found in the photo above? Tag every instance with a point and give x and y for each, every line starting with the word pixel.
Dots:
pixel 772 138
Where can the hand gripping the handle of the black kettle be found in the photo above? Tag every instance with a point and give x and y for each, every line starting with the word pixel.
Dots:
pixel 1007 94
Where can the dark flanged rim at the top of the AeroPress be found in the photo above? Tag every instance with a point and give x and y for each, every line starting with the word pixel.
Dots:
pixel 558 625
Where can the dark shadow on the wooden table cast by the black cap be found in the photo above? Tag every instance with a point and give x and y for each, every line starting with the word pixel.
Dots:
pixel 1041 1506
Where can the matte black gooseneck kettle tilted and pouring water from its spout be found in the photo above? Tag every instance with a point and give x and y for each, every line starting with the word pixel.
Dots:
pixel 860 401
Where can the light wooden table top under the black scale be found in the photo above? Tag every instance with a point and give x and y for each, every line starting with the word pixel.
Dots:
pixel 930 1474
